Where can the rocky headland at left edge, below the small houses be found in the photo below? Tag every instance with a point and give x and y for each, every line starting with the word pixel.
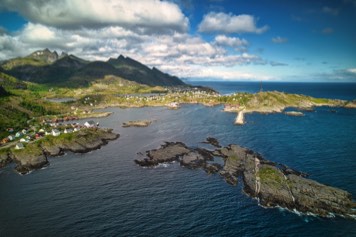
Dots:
pixel 35 155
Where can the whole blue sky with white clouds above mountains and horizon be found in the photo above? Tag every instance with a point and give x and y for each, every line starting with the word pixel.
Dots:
pixel 269 40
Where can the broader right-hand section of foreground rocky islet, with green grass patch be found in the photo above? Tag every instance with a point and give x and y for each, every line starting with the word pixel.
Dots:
pixel 276 185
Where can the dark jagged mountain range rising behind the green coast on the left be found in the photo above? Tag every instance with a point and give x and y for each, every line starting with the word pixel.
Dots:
pixel 47 67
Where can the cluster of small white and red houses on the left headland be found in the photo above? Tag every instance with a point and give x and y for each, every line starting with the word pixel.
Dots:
pixel 27 135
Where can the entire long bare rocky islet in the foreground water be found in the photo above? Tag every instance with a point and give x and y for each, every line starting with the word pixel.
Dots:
pixel 273 184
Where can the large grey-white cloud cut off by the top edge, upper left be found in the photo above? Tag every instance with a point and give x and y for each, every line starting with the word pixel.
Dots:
pixel 147 15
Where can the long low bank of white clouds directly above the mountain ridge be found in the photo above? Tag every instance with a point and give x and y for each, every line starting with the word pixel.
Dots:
pixel 180 54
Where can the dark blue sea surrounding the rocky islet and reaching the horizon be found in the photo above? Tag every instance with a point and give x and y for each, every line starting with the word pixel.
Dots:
pixel 104 193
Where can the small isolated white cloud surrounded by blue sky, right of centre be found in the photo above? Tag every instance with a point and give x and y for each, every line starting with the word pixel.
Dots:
pixel 229 23
